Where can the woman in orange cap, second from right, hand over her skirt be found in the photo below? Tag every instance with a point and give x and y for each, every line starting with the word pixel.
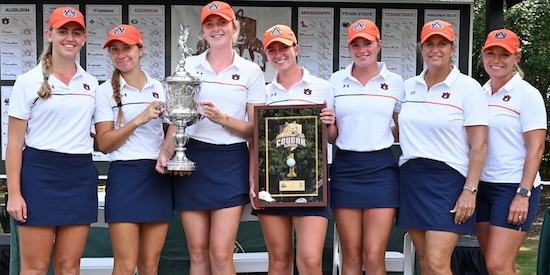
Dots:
pixel 443 136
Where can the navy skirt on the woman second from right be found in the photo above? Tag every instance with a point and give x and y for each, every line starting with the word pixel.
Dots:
pixel 429 190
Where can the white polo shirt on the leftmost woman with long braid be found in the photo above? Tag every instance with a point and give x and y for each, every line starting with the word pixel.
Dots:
pixel 62 122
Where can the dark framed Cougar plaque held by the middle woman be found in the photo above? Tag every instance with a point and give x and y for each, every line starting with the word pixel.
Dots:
pixel 291 152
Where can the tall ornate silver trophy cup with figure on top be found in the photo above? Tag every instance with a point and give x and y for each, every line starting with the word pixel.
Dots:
pixel 183 91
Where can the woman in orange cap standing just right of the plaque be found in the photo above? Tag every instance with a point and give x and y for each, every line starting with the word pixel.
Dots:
pixel 364 185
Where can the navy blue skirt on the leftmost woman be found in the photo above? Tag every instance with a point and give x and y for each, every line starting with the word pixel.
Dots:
pixel 59 189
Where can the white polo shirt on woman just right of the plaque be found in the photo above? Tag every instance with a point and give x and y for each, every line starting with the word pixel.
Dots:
pixel 364 114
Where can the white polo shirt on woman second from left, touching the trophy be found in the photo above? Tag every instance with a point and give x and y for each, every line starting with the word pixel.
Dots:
pixel 146 140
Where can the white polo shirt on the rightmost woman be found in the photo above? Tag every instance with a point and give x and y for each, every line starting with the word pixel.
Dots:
pixel 515 109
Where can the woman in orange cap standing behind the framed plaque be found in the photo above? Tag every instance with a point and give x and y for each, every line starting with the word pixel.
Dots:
pixel 278 223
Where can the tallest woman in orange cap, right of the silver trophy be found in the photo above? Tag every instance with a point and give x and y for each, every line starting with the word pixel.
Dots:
pixel 211 199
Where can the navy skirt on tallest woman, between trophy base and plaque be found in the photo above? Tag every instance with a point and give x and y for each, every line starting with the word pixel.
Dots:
pixel 221 179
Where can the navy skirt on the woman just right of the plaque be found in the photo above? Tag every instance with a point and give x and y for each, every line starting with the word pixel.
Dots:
pixel 364 180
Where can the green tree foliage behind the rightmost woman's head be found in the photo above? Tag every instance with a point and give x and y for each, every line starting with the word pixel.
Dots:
pixel 530 20
